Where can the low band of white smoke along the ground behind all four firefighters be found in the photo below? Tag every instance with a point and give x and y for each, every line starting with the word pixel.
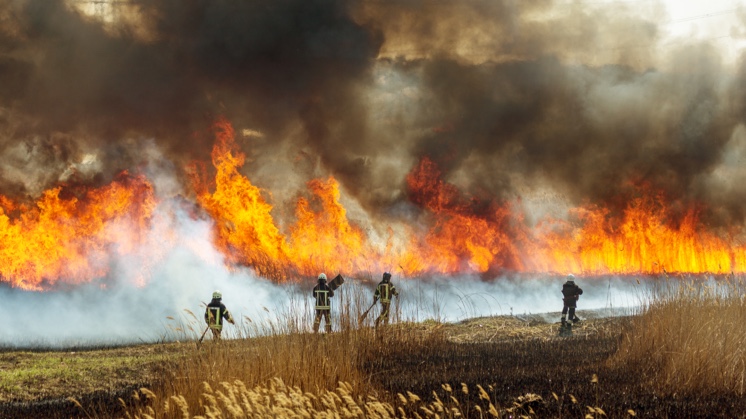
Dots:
pixel 89 316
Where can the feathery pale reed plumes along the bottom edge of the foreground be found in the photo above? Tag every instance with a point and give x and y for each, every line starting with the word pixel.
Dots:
pixel 278 400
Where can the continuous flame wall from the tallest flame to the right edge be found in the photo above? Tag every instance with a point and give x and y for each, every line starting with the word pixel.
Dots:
pixel 460 234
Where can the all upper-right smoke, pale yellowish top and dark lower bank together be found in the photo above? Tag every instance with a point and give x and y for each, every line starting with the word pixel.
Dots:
pixel 591 102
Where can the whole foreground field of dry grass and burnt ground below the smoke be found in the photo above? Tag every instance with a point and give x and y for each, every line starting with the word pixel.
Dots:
pixel 681 356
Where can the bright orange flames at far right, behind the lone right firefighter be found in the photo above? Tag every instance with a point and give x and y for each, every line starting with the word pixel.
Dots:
pixel 647 240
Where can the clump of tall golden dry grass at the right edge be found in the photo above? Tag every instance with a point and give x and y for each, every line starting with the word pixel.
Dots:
pixel 690 337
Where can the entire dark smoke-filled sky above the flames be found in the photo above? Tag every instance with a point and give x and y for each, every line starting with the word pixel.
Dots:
pixel 582 97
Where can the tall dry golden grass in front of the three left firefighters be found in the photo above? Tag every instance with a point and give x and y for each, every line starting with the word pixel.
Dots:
pixel 280 368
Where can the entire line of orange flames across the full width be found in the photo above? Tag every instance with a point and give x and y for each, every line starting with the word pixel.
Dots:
pixel 68 240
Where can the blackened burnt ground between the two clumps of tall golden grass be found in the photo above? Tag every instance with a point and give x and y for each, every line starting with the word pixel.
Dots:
pixel 526 373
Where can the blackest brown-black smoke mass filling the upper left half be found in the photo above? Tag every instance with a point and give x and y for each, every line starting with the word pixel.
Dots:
pixel 263 64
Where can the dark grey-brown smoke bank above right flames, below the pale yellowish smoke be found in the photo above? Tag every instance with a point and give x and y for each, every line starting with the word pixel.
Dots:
pixel 588 130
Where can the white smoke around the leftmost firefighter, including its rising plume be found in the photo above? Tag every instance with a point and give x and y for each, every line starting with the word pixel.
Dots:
pixel 115 310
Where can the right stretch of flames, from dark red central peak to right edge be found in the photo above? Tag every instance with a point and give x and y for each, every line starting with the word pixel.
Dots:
pixel 469 235
